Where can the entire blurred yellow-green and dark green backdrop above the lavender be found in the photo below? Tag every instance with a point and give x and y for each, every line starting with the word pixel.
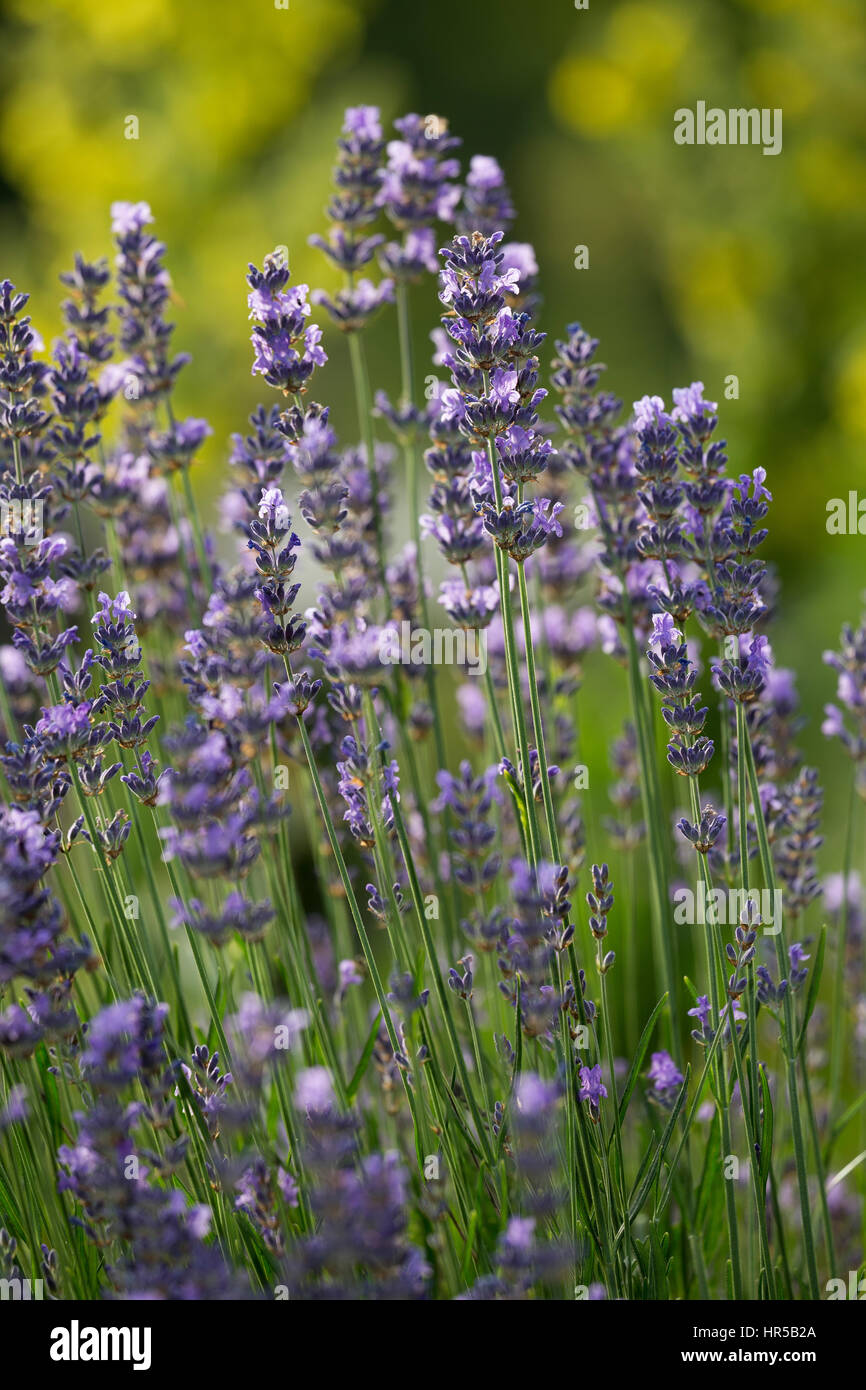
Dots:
pixel 704 262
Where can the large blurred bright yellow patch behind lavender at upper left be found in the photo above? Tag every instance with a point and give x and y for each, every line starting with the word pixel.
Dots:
pixel 223 95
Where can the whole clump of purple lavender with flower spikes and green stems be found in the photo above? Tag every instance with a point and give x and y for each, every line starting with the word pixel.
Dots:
pixel 307 986
